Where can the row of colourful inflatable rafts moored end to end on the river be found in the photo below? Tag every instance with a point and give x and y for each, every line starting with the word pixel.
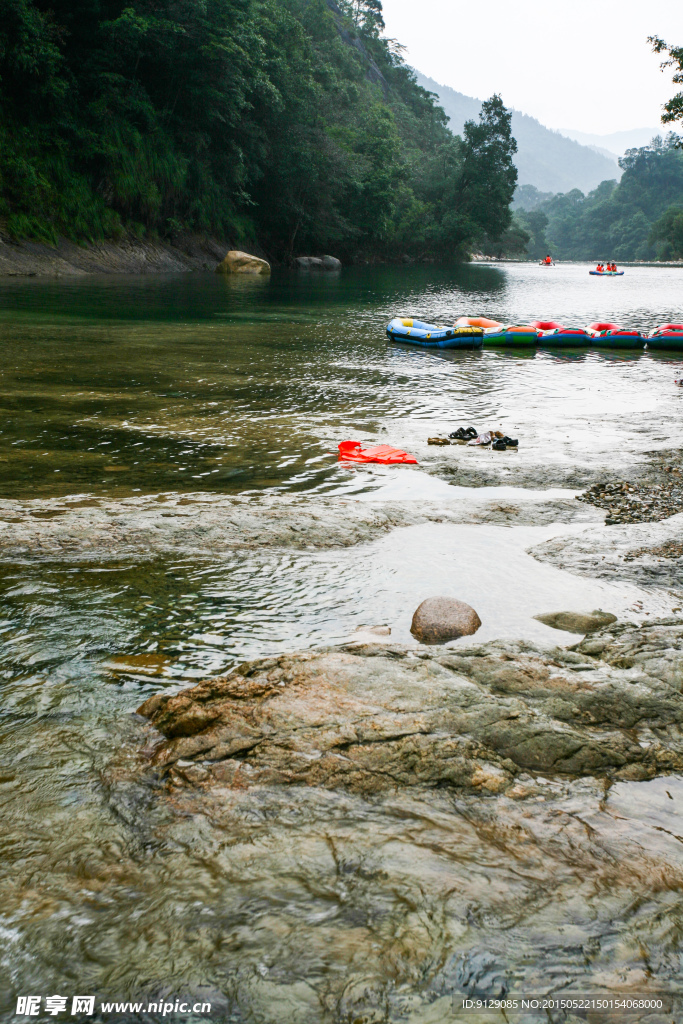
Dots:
pixel 474 332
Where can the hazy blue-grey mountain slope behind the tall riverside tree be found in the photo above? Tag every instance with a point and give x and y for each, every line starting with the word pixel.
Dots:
pixel 545 159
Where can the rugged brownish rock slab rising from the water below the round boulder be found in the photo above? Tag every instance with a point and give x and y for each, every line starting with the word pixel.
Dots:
pixel 374 718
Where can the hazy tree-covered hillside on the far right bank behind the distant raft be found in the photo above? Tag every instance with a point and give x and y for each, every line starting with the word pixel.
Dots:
pixel 625 222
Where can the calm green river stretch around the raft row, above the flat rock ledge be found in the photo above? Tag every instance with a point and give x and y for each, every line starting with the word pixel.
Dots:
pixel 194 382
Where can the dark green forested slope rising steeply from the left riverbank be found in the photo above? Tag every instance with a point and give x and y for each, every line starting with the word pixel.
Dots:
pixel 288 122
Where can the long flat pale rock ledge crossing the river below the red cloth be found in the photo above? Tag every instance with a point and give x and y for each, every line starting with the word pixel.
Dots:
pixel 86 528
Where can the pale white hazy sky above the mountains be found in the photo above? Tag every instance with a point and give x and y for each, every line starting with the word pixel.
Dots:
pixel 579 65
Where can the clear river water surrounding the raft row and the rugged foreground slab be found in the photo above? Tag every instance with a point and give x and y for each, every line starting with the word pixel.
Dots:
pixel 298 907
